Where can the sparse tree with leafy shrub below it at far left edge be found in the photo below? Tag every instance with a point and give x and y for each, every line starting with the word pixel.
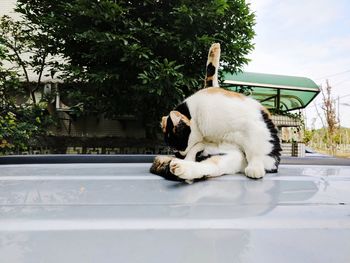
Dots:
pixel 19 124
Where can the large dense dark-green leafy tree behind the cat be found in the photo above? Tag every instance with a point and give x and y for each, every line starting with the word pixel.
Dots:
pixel 140 57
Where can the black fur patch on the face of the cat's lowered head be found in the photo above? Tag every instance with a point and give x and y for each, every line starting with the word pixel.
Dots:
pixel 177 137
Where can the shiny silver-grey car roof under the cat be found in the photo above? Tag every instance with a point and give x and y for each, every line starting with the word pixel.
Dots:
pixel 119 212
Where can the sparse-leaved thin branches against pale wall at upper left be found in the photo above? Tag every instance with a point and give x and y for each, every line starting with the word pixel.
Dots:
pixel 26 52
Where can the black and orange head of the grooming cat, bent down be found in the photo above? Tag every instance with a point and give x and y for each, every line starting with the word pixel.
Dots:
pixel 176 129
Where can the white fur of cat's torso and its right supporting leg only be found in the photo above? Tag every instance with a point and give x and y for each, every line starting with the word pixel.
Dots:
pixel 217 117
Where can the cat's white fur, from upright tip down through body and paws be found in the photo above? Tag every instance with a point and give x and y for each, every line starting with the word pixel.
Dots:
pixel 226 121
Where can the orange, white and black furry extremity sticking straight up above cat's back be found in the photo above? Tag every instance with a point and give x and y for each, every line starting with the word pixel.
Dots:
pixel 211 77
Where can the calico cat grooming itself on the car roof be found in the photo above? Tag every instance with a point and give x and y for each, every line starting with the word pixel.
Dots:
pixel 223 124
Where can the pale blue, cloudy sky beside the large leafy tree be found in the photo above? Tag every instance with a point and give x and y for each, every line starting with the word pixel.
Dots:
pixel 309 38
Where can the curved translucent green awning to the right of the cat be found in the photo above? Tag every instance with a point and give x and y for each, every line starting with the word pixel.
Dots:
pixel 276 92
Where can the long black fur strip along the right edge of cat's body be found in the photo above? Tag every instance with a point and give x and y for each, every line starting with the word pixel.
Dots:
pixel 275 141
